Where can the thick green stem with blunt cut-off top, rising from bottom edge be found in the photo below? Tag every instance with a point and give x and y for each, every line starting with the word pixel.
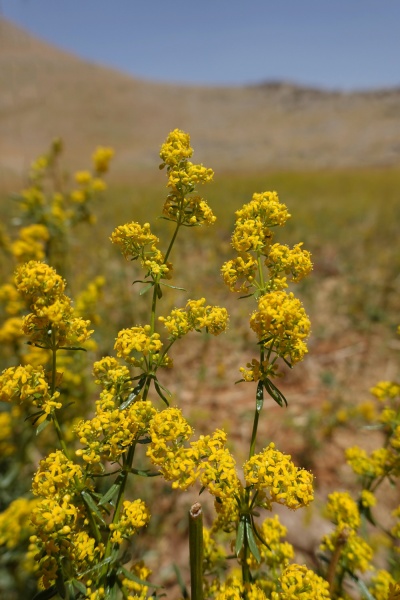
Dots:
pixel 196 551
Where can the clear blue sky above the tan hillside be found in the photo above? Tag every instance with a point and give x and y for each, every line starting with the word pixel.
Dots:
pixel 334 44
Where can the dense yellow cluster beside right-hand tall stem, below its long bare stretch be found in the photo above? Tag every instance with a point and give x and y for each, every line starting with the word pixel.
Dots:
pixel 274 472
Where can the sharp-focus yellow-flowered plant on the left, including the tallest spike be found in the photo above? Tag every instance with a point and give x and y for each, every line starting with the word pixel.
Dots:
pixel 79 534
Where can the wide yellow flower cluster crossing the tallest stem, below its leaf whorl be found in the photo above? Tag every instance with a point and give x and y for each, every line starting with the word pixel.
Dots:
pixel 111 431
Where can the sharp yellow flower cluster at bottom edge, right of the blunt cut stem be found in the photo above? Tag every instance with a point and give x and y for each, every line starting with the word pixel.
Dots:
pixel 299 583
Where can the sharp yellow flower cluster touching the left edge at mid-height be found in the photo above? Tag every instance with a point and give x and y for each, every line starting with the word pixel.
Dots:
pixel 28 384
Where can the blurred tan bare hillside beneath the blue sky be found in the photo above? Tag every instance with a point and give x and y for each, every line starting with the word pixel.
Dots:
pixel 46 93
